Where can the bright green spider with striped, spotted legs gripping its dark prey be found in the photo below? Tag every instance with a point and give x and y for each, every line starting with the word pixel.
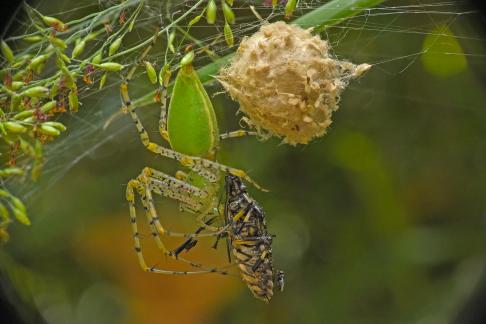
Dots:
pixel 190 127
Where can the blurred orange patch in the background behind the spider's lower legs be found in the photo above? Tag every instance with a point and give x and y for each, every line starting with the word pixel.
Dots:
pixel 108 247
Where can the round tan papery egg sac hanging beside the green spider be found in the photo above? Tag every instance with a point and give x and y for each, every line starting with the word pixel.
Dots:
pixel 286 81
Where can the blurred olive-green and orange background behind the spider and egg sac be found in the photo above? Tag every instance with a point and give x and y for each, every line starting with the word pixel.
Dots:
pixel 381 221
